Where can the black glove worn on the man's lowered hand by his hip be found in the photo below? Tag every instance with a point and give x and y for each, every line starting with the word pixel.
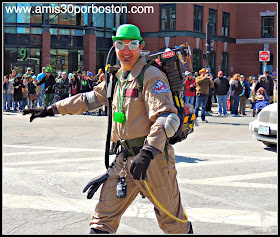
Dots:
pixel 140 164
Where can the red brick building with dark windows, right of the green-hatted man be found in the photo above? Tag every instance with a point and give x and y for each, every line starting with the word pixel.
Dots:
pixel 241 31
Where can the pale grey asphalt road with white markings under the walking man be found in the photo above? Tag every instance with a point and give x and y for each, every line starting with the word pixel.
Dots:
pixel 227 179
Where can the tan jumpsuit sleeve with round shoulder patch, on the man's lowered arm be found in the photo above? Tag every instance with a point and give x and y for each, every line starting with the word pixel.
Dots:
pixel 156 104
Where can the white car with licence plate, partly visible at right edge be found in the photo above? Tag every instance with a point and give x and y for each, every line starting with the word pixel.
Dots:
pixel 264 127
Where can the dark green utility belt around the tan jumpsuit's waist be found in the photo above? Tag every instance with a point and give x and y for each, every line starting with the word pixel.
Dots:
pixel 131 147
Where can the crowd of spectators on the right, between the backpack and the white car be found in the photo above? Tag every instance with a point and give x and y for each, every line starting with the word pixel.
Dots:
pixel 231 93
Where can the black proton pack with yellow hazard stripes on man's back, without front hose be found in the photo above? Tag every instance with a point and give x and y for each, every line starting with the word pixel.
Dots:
pixel 169 63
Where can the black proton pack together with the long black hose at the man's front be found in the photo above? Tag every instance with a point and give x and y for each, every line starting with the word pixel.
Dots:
pixel 169 63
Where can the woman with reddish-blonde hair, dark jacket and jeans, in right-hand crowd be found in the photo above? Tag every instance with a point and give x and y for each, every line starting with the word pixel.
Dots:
pixel 235 90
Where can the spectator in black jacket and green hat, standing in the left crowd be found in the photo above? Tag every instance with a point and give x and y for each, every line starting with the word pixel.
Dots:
pixel 49 81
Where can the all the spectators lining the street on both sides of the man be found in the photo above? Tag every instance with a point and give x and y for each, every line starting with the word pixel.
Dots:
pixel 200 89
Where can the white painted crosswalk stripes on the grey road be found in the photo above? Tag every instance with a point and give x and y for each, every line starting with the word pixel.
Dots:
pixel 143 209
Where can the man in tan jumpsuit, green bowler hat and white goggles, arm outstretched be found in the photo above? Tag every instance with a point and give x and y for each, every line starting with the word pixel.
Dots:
pixel 147 114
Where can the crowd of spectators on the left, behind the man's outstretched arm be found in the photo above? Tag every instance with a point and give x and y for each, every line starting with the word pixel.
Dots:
pixel 31 91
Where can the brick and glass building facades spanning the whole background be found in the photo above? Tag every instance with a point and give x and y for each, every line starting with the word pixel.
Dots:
pixel 70 41
